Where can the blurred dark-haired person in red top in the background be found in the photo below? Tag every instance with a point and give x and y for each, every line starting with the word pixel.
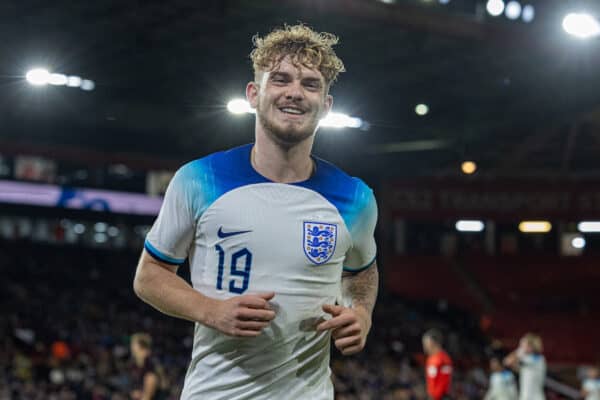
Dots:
pixel 438 368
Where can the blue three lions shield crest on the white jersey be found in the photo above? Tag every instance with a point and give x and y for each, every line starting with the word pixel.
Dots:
pixel 319 241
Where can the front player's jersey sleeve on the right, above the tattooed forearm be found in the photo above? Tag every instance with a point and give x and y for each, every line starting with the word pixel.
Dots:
pixel 362 230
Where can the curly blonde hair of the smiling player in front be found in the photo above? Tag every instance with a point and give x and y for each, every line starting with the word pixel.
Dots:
pixel 305 46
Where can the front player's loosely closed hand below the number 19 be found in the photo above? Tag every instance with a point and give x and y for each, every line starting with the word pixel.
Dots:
pixel 242 316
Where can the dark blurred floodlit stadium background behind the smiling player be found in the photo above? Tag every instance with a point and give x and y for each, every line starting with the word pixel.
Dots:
pixel 82 169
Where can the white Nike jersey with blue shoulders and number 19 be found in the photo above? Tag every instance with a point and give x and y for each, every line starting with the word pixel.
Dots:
pixel 245 234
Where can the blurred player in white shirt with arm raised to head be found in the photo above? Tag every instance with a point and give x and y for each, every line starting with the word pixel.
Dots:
pixel 531 364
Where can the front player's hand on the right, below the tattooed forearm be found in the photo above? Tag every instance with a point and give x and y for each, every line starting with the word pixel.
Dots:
pixel 350 327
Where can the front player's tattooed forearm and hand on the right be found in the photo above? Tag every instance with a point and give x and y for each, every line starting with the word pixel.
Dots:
pixel 350 325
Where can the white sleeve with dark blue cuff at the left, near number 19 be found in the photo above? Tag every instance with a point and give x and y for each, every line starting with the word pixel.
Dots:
pixel 172 233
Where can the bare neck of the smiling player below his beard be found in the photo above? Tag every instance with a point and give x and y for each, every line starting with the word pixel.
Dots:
pixel 281 163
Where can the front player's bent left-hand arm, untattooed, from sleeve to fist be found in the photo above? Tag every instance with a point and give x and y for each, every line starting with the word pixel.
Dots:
pixel 158 284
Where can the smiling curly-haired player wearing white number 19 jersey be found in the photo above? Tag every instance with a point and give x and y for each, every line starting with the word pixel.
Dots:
pixel 280 243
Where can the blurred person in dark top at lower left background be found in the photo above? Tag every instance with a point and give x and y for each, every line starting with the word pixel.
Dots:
pixel 146 382
